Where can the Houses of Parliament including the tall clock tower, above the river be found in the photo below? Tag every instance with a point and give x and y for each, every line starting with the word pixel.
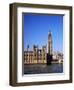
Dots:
pixel 37 55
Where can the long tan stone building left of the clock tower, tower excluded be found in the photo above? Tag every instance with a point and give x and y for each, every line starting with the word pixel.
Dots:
pixel 35 56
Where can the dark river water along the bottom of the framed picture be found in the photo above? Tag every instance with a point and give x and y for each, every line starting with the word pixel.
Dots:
pixel 43 68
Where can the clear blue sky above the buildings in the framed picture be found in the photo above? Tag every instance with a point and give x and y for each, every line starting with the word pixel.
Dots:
pixel 36 28
